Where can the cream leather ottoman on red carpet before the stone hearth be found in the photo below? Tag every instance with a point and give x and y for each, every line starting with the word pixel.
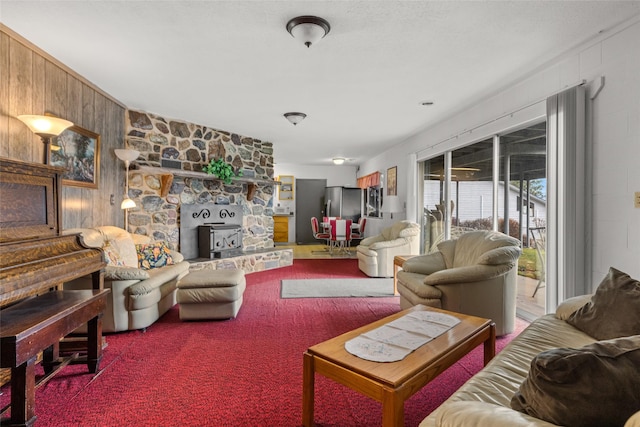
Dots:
pixel 211 294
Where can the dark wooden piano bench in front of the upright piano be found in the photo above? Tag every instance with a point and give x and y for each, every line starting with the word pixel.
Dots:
pixel 38 324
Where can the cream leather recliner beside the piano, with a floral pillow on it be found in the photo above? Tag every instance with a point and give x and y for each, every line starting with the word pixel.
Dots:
pixel 138 297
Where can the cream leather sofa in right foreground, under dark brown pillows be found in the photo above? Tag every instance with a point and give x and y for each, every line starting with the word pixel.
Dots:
pixel 485 400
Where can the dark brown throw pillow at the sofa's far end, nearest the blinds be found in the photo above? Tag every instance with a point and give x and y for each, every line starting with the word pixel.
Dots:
pixel 613 309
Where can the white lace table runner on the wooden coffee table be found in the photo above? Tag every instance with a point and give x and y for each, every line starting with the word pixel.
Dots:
pixel 395 340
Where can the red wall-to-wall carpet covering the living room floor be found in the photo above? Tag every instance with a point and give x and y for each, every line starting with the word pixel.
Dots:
pixel 241 372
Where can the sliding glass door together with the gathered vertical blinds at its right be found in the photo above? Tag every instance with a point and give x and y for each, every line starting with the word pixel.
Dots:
pixel 535 180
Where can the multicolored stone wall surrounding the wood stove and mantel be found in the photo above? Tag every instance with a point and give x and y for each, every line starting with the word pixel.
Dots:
pixel 191 146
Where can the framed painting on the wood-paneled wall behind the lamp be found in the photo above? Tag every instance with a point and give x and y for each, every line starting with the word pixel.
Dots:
pixel 78 151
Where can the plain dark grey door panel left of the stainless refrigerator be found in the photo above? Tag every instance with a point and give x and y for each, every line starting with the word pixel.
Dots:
pixel 309 203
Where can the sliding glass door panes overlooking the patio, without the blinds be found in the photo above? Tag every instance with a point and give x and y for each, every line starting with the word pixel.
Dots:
pixel 494 184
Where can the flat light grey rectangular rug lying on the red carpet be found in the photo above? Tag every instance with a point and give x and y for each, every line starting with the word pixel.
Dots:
pixel 335 288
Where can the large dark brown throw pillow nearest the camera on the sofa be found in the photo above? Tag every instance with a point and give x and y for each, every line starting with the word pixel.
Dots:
pixel 596 385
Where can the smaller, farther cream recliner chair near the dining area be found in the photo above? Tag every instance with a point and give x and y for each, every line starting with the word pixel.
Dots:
pixel 375 254
